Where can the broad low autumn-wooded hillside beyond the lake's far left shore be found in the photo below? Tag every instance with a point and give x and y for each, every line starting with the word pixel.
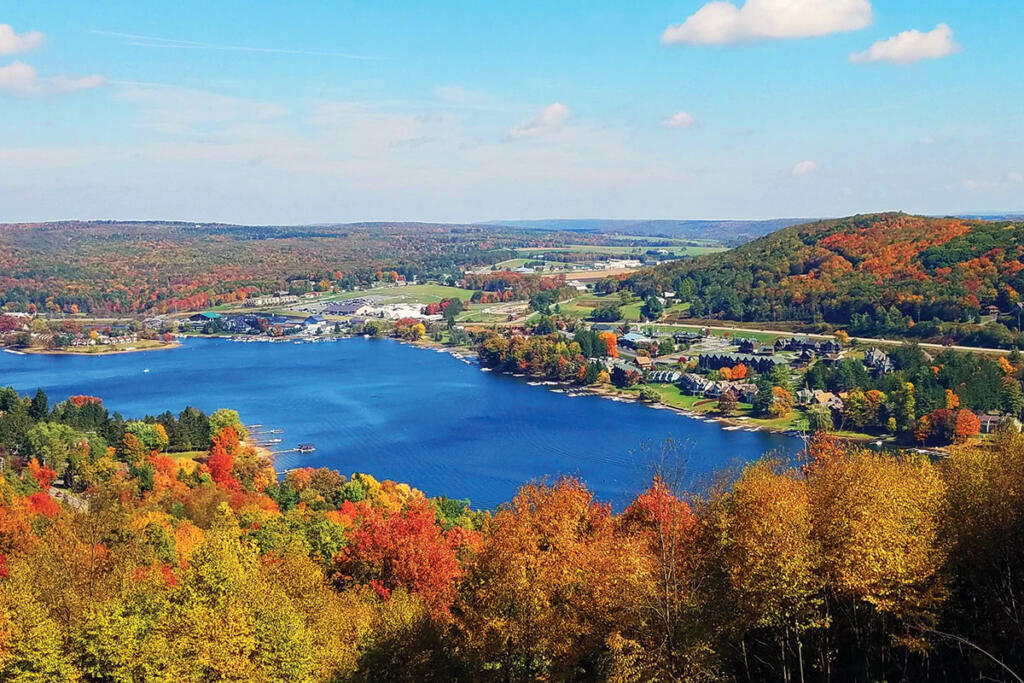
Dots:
pixel 123 269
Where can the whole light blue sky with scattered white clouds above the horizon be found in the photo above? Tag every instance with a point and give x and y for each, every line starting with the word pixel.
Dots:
pixel 328 111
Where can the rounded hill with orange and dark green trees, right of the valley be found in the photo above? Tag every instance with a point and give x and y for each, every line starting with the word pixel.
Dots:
pixel 884 274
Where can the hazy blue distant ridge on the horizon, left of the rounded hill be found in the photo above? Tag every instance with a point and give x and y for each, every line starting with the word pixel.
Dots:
pixel 728 232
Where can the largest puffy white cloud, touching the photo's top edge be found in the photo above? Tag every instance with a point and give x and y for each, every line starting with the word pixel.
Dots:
pixel 724 23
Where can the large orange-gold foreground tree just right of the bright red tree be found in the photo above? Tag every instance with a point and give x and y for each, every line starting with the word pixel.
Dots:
pixel 550 584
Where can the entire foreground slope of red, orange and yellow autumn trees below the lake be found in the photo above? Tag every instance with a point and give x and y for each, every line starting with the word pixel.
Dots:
pixel 125 558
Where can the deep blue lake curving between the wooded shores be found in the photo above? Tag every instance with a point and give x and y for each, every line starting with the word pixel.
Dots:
pixel 400 413
